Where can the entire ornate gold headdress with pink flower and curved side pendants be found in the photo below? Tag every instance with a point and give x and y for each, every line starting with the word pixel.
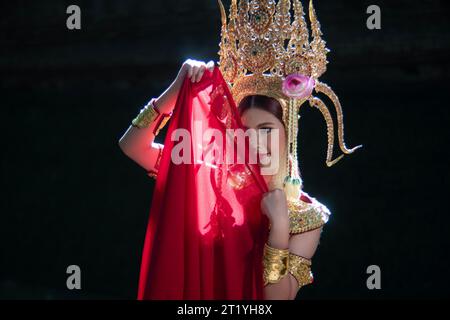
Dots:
pixel 264 51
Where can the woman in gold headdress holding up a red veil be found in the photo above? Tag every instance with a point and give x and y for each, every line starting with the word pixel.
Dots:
pixel 270 69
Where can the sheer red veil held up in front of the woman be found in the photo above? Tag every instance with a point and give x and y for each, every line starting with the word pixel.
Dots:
pixel 206 233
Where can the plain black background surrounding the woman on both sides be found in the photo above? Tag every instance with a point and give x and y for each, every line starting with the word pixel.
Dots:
pixel 69 195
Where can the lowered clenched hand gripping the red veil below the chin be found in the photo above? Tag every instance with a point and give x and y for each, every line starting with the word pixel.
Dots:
pixel 274 205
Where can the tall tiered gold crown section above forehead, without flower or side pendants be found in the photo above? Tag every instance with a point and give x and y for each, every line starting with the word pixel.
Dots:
pixel 260 45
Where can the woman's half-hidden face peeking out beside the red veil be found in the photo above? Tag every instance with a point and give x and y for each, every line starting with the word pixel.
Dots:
pixel 265 123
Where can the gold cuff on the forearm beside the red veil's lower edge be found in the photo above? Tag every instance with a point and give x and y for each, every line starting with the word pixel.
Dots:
pixel 276 264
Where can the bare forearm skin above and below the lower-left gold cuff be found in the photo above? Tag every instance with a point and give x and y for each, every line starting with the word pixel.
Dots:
pixel 279 239
